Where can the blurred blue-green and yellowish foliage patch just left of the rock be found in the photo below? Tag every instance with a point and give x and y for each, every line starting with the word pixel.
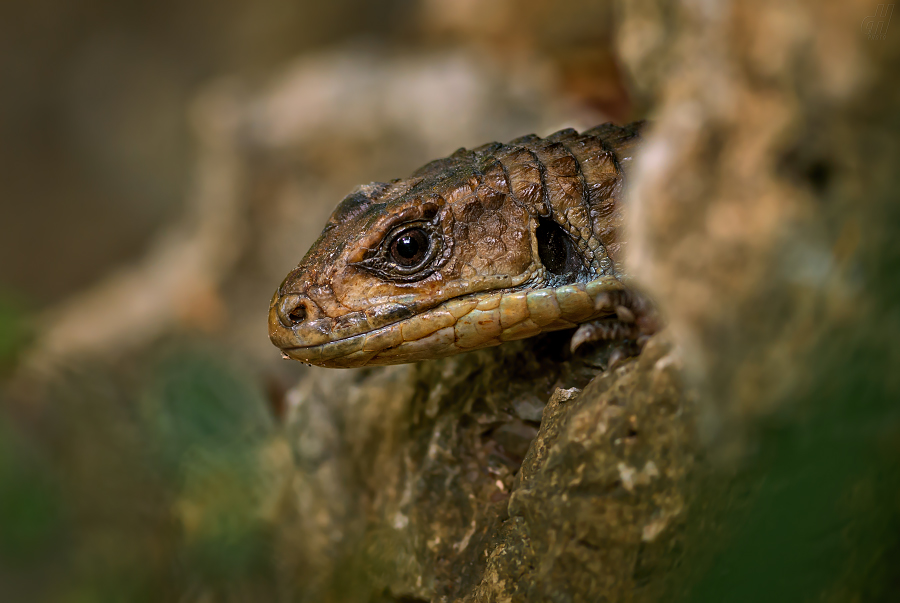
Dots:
pixel 207 427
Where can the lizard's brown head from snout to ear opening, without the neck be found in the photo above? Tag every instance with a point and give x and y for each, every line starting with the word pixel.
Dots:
pixel 456 257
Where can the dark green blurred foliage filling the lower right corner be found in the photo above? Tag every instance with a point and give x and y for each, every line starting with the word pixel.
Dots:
pixel 819 509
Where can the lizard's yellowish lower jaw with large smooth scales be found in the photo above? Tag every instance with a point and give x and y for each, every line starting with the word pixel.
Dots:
pixel 467 323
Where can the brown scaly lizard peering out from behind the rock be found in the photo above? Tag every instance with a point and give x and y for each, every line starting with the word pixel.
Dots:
pixel 491 244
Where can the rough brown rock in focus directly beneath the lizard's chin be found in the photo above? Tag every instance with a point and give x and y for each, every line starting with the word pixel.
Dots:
pixel 468 501
